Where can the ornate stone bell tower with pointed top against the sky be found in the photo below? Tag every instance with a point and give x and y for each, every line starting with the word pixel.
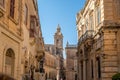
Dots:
pixel 58 41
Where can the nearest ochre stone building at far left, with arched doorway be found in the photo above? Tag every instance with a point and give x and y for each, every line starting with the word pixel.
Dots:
pixel 10 39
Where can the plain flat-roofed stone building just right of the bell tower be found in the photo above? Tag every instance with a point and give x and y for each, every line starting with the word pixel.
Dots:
pixel 71 62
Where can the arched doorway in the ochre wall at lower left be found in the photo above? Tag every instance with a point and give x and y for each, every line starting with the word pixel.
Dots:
pixel 9 62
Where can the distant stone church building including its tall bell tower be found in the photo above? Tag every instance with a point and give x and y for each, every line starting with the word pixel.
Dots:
pixel 54 62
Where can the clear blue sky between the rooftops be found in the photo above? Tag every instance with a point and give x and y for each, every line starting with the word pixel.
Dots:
pixel 62 12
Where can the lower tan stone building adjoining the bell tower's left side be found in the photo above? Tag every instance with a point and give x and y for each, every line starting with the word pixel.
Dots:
pixel 50 64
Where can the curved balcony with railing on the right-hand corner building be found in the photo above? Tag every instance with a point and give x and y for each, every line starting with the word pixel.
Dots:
pixel 88 35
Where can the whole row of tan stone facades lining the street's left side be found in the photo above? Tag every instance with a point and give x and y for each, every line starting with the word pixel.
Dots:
pixel 21 43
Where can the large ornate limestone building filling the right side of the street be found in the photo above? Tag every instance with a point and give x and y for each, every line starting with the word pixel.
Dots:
pixel 98 26
